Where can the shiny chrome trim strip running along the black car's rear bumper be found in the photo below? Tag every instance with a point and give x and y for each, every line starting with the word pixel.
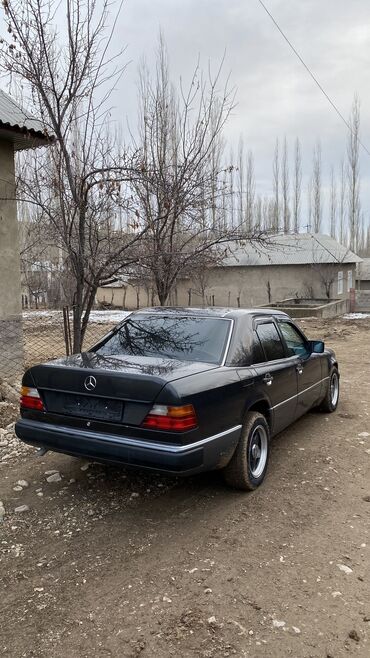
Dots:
pixel 128 441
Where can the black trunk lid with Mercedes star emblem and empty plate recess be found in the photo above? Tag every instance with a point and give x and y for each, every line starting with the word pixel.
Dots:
pixel 110 389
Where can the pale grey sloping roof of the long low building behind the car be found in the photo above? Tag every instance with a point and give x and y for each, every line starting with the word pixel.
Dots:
pixel 296 249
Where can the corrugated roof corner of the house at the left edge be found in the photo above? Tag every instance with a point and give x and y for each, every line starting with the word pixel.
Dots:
pixel 19 127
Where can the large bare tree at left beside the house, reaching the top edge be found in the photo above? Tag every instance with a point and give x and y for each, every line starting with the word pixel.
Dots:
pixel 67 72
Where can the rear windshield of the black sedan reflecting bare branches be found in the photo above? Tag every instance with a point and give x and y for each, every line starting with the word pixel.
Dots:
pixel 183 338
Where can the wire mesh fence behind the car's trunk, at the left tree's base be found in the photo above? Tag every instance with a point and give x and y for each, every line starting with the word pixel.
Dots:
pixel 42 335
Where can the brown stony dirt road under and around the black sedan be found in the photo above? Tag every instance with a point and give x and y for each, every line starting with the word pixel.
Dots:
pixel 113 563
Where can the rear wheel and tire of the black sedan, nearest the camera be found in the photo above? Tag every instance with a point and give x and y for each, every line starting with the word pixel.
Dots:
pixel 246 470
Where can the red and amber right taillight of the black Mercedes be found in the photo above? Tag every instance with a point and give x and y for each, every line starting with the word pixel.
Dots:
pixel 171 419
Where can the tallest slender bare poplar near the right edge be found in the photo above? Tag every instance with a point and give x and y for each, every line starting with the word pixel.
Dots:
pixel 353 174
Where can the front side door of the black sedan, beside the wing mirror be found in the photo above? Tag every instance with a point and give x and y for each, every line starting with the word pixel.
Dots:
pixel 308 366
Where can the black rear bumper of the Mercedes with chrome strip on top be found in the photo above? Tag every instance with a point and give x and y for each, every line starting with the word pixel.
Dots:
pixel 206 454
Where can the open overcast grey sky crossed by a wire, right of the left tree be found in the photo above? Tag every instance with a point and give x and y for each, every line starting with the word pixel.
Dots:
pixel 275 95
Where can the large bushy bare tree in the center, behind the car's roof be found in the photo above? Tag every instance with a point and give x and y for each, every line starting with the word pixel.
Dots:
pixel 177 136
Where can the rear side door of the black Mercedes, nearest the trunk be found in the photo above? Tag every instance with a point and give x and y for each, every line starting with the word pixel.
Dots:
pixel 276 373
